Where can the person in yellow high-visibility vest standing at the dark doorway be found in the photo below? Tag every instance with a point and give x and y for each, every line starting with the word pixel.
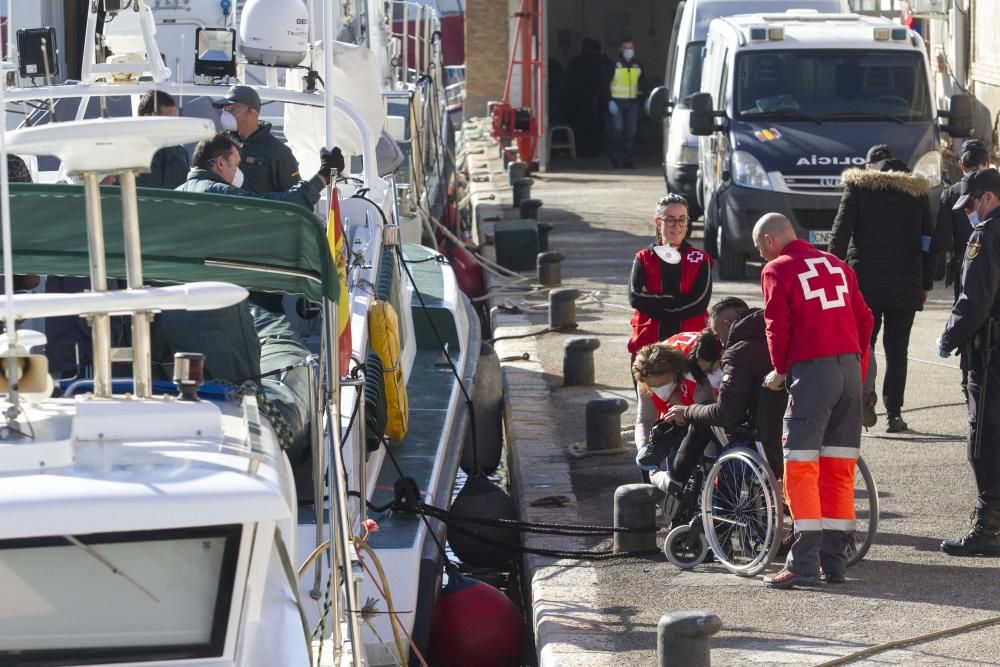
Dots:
pixel 626 86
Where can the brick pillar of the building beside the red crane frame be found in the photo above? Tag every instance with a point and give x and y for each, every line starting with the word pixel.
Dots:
pixel 487 52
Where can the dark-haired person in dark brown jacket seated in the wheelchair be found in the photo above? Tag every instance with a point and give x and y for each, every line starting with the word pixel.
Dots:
pixel 743 407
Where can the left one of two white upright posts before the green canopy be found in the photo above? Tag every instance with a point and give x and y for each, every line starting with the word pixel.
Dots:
pixel 100 324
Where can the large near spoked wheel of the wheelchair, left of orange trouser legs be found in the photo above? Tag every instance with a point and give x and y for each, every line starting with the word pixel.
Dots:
pixel 742 512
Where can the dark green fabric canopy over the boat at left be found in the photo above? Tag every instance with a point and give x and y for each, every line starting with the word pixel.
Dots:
pixel 186 237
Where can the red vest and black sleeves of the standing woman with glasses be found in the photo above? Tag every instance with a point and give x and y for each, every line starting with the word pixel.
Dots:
pixel 660 313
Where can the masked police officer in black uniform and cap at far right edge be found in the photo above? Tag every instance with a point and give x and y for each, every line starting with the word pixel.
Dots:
pixel 974 329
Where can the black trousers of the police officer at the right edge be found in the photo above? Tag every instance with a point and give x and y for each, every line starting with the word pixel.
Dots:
pixel 984 416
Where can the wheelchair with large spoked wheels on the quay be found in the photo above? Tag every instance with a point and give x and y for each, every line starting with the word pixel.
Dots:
pixel 733 506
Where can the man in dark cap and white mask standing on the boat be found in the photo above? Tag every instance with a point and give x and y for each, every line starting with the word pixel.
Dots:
pixel 268 165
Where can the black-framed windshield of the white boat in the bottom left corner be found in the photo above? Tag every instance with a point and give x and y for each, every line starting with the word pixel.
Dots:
pixel 117 597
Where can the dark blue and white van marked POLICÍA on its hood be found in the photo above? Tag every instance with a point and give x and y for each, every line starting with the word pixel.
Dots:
pixel 789 101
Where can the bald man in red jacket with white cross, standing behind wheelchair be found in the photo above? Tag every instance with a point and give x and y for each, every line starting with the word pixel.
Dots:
pixel 818 330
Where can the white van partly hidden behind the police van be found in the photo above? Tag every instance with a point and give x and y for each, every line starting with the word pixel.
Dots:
pixel 683 78
